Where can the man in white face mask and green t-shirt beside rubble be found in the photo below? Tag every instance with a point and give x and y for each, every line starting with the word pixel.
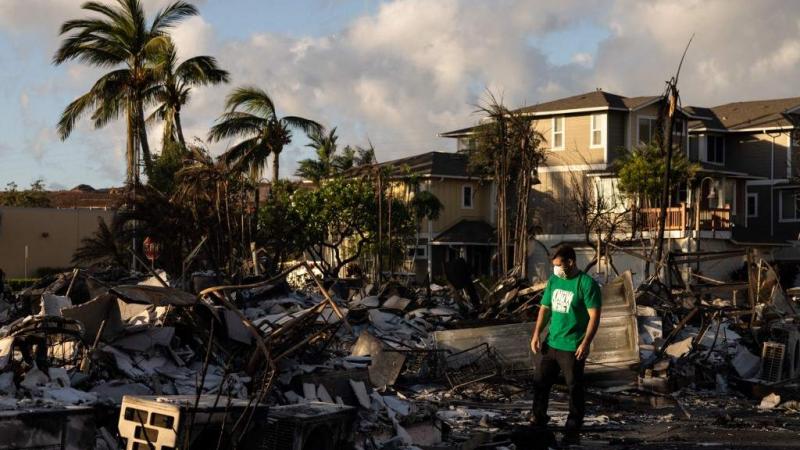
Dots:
pixel 571 303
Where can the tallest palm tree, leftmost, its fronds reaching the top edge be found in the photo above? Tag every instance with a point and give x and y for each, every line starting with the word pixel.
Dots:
pixel 117 36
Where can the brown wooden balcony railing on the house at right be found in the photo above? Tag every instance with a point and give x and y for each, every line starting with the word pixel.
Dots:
pixel 682 218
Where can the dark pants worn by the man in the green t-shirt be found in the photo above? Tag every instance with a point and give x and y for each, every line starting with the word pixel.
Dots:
pixel 548 362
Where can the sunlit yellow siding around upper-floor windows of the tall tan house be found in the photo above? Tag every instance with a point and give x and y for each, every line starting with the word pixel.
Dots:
pixel 576 141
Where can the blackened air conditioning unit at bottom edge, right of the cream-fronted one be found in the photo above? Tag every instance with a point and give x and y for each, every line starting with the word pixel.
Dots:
pixel 308 426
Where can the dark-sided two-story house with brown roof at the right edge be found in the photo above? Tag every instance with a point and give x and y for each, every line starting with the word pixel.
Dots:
pixel 758 138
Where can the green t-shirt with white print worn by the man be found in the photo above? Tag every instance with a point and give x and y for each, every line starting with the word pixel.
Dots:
pixel 569 301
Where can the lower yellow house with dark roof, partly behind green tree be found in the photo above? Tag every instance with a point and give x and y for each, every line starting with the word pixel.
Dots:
pixel 465 226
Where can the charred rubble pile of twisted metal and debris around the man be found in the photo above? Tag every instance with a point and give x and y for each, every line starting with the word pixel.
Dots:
pixel 386 366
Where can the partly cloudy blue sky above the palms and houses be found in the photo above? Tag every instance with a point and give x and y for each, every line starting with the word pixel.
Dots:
pixel 393 73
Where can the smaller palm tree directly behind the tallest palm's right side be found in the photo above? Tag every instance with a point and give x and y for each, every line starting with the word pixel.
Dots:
pixel 175 84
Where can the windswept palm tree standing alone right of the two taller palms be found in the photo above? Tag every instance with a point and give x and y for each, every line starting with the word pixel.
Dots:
pixel 251 115
